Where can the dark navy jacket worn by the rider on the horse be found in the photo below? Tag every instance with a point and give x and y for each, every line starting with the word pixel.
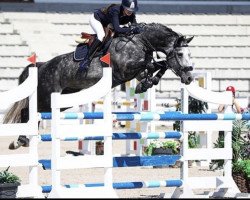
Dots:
pixel 114 15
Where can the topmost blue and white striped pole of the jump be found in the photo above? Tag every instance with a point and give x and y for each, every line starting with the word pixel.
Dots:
pixel 150 116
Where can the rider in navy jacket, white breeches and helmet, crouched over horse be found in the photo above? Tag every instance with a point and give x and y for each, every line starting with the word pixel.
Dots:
pixel 116 15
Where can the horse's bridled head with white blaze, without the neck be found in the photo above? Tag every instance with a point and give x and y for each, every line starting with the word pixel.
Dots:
pixel 179 59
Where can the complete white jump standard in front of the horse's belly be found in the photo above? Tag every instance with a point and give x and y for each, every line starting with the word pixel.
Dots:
pixel 103 89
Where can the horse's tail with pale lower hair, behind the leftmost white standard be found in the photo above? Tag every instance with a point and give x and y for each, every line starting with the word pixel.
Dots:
pixel 14 113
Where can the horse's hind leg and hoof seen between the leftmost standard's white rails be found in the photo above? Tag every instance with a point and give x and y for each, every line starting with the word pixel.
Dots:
pixel 22 139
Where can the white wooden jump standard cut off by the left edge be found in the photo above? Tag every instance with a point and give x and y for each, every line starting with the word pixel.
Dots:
pixel 28 89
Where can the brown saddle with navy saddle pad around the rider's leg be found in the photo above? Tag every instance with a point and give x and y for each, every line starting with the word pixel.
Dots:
pixel 84 42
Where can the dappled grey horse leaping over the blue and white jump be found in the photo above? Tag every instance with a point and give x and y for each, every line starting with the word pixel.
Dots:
pixel 131 57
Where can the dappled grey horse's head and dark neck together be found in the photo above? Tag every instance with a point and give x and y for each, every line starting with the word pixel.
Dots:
pixel 174 46
